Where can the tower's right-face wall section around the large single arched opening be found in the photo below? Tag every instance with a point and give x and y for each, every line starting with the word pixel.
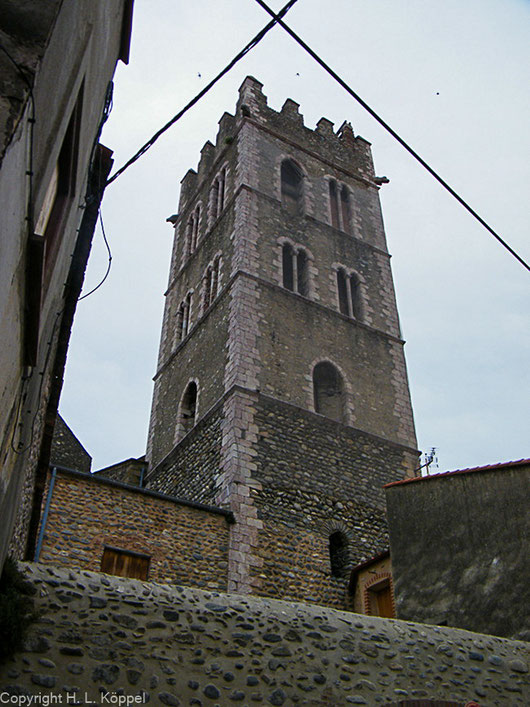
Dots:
pixel 295 336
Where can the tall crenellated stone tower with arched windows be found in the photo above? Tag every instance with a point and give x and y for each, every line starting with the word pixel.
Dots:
pixel 281 390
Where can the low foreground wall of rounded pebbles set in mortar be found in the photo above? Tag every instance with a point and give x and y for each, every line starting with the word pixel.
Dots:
pixel 108 640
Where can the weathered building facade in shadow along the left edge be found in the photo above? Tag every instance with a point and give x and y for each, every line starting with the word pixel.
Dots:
pixel 56 63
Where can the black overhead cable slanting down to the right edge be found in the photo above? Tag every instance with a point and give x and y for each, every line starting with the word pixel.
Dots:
pixel 392 132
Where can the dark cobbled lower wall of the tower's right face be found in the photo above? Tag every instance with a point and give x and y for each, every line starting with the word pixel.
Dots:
pixel 317 476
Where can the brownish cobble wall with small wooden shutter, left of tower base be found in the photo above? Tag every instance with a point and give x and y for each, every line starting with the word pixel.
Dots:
pixel 186 544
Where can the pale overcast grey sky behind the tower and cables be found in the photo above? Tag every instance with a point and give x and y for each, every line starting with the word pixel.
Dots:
pixel 452 77
